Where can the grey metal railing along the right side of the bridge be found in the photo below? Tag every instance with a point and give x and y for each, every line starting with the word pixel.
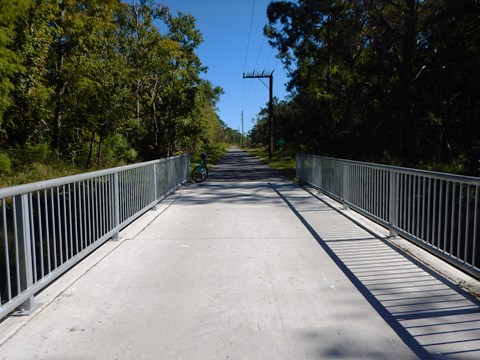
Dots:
pixel 437 211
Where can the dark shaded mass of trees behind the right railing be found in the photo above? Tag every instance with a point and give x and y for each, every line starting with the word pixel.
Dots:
pixel 395 81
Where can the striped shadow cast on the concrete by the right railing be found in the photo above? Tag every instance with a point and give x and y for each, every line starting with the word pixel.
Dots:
pixel 434 317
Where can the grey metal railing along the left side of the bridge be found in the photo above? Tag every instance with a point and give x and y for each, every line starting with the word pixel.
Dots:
pixel 47 227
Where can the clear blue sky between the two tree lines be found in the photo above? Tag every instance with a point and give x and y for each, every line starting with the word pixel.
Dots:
pixel 225 26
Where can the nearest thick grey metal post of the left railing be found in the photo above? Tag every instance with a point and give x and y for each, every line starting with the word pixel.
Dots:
pixel 24 251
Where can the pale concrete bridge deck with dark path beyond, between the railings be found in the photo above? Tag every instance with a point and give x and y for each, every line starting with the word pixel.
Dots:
pixel 247 266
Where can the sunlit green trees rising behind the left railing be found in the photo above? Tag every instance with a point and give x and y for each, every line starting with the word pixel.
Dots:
pixel 88 80
